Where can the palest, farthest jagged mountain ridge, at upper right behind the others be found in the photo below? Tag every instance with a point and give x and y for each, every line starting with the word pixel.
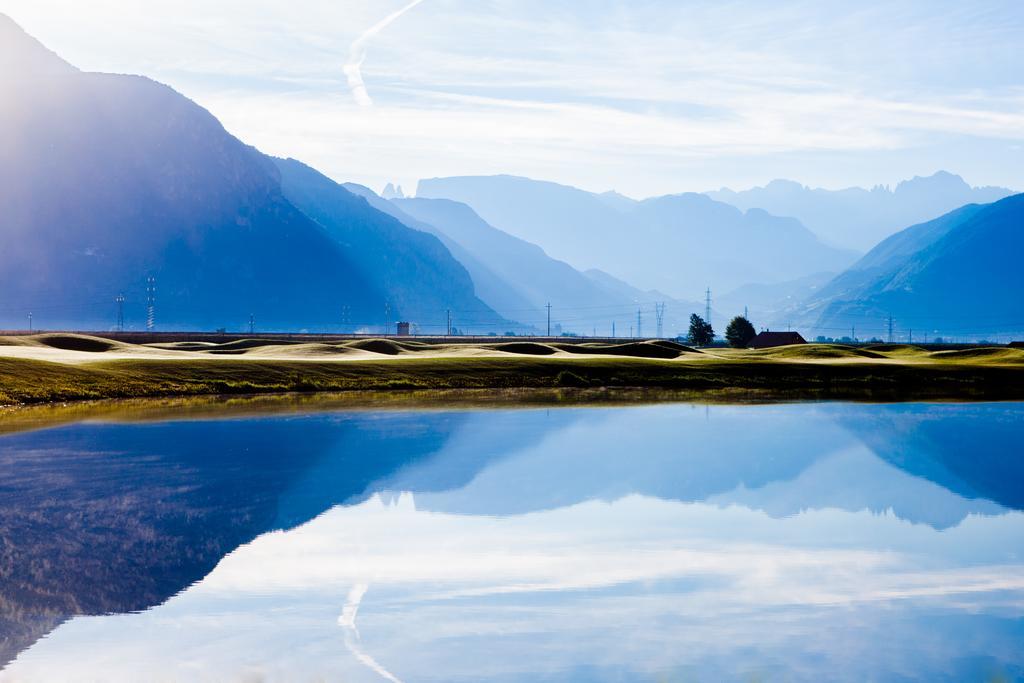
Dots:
pixel 861 219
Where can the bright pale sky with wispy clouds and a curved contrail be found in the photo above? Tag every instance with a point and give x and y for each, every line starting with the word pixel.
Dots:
pixel 644 97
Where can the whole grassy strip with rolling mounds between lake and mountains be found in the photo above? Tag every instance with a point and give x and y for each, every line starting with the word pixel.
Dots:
pixel 62 368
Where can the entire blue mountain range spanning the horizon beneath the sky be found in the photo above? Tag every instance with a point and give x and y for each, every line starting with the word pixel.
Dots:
pixel 116 186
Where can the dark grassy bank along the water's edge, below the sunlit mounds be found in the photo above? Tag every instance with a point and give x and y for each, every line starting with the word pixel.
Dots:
pixel 29 381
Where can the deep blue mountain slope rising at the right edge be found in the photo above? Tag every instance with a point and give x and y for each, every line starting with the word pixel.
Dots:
pixel 958 276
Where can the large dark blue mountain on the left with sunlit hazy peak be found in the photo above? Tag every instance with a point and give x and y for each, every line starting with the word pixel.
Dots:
pixel 108 181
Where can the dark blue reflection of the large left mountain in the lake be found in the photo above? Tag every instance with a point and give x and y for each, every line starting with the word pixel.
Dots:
pixel 115 519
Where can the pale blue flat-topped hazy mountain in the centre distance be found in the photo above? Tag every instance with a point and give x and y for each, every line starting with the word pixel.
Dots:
pixel 679 244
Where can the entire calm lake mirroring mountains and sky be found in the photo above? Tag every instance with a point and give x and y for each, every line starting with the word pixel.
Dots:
pixel 666 542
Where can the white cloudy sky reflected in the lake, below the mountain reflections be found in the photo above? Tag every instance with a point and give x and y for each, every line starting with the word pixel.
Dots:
pixel 687 585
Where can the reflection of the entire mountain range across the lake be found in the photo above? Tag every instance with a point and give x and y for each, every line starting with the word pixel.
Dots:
pixel 114 519
